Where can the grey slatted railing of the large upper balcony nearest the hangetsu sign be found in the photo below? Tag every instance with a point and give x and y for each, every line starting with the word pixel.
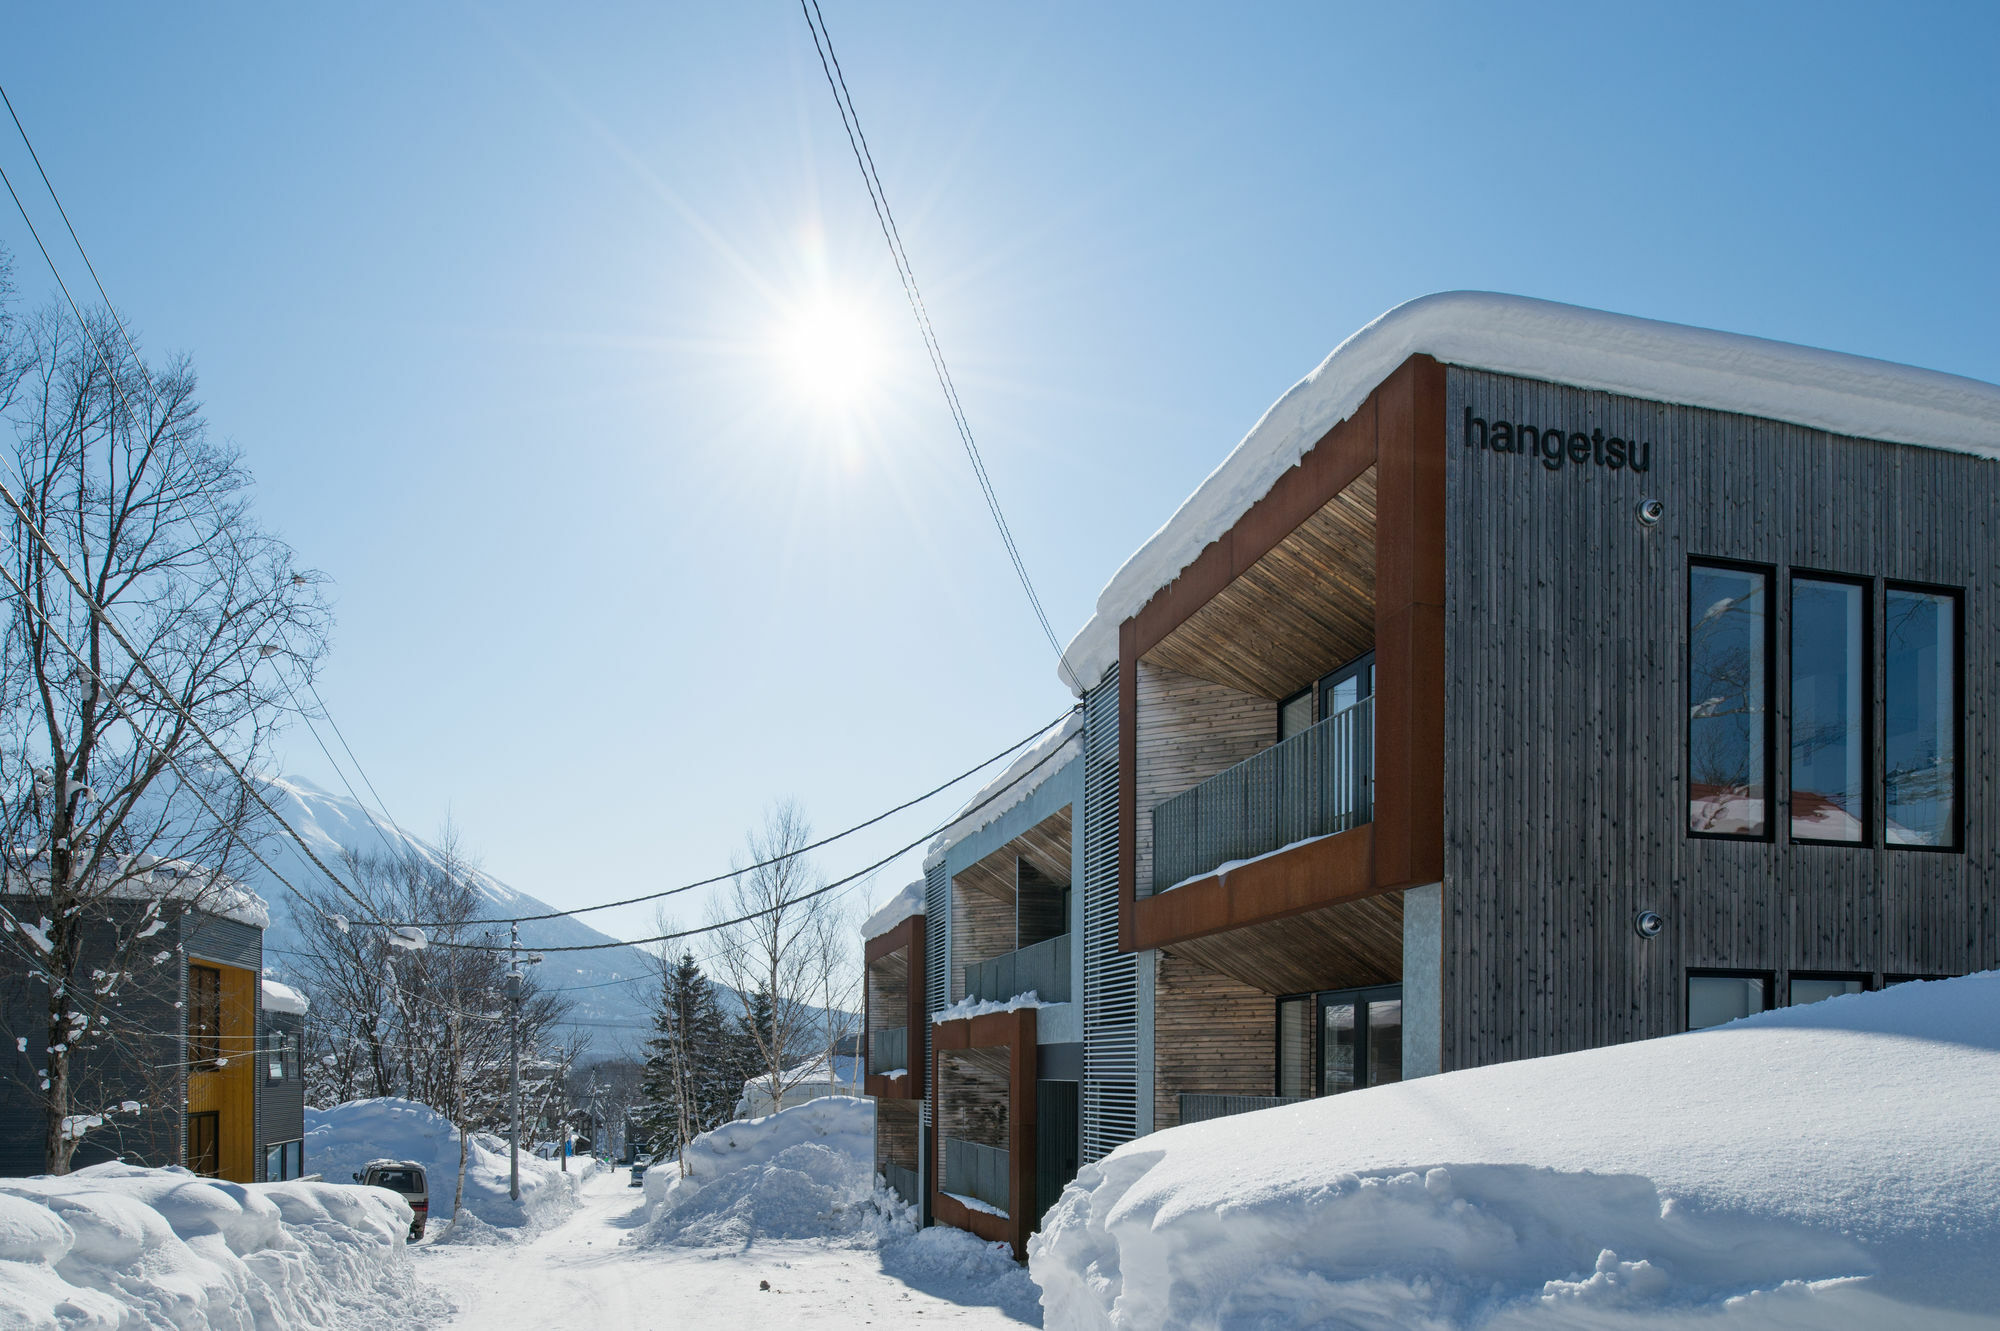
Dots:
pixel 1315 784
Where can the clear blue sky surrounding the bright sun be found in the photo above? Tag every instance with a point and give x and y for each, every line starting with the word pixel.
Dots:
pixel 491 301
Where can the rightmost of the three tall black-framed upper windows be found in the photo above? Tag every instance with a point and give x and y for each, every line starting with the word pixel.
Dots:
pixel 1921 692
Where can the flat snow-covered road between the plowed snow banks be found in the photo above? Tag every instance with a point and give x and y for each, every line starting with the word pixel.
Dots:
pixel 585 1276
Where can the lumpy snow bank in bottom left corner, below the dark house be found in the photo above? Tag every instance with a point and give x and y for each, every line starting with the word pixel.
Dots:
pixel 123 1248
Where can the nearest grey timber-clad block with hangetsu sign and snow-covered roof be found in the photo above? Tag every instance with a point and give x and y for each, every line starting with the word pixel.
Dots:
pixel 1531 680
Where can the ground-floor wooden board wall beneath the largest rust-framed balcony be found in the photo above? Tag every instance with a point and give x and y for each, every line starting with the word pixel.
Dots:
pixel 1209 1034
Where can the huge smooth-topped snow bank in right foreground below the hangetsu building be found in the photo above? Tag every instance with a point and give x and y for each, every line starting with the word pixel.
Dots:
pixel 1829 1166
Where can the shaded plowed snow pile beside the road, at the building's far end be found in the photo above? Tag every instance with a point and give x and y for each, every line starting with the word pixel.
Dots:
pixel 807 1174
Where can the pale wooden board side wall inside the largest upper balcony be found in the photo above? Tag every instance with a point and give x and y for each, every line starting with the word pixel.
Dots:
pixel 1189 732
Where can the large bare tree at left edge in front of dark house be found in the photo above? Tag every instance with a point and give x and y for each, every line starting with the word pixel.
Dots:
pixel 103 774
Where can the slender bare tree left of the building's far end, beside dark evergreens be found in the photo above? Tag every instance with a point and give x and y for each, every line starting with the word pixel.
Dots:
pixel 771 952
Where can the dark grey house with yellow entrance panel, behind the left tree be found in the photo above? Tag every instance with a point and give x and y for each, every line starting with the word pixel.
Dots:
pixel 207 1062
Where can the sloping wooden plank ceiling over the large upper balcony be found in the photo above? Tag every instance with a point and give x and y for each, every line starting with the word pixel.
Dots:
pixel 1295 615
